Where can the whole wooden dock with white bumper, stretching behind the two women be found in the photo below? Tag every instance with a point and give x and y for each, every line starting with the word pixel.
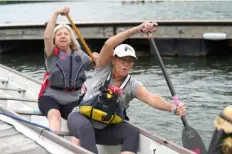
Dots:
pixel 173 37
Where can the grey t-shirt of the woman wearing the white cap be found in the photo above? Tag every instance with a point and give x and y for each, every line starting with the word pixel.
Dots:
pixel 99 77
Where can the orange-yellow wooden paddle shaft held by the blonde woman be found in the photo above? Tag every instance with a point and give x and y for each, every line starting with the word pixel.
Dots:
pixel 80 37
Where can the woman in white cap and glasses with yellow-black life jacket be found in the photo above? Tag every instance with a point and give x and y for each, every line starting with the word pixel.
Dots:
pixel 100 117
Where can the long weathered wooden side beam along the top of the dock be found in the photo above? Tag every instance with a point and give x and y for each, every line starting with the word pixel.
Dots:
pixel 103 30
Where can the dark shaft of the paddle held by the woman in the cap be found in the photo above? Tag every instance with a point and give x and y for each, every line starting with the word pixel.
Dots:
pixel 152 42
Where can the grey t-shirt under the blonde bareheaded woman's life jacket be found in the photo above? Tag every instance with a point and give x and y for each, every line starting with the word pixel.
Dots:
pixel 61 96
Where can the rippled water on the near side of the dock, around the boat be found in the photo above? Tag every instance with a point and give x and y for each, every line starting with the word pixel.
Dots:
pixel 203 83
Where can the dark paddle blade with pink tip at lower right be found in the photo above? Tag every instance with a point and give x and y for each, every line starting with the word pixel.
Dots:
pixel 192 140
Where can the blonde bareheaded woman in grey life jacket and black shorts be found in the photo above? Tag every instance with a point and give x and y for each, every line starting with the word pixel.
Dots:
pixel 66 64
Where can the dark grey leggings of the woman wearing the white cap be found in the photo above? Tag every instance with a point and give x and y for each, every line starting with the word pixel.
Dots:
pixel 115 134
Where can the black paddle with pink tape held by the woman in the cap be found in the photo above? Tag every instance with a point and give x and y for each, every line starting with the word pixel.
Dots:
pixel 190 137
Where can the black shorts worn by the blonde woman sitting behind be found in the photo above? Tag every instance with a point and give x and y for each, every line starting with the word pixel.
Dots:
pixel 47 103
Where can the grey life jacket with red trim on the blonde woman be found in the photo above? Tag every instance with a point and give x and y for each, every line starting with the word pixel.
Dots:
pixel 67 73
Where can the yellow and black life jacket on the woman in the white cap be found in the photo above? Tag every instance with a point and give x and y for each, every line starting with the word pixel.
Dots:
pixel 104 105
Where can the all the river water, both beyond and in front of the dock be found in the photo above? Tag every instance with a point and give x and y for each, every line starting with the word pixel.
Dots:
pixel 203 83
